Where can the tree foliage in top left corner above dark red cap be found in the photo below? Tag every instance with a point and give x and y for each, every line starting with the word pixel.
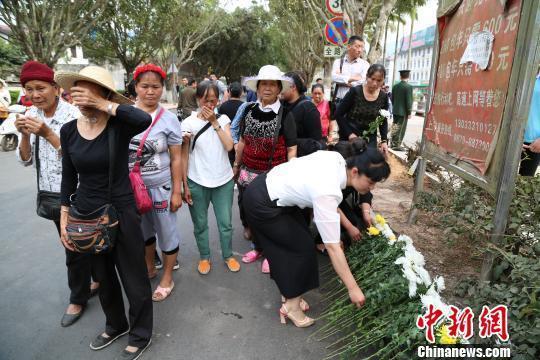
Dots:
pixel 45 29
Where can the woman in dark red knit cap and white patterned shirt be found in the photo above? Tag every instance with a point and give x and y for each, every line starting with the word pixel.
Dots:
pixel 42 123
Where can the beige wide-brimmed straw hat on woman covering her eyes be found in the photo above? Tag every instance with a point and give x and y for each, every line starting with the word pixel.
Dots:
pixel 93 74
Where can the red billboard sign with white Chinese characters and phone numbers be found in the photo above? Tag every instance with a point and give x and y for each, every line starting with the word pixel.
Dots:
pixel 468 103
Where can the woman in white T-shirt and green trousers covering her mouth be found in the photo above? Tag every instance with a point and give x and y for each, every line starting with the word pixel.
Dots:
pixel 208 176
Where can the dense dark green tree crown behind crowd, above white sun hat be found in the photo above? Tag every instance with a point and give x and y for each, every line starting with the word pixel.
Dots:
pixel 248 43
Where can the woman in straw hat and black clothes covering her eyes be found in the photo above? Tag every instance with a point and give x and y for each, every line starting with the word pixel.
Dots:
pixel 85 178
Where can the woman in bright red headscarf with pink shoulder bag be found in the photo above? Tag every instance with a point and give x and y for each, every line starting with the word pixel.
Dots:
pixel 161 169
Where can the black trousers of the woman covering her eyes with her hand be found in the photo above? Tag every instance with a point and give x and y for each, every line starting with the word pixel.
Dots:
pixel 128 258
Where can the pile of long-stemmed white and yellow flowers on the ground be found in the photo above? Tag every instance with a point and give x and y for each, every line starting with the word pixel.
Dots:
pixel 398 289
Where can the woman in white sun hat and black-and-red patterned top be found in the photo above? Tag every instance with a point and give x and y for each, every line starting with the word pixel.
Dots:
pixel 267 139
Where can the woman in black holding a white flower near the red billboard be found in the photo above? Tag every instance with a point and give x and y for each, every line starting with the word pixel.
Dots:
pixel 361 106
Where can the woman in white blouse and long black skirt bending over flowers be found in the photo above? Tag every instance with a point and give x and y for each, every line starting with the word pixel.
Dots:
pixel 273 204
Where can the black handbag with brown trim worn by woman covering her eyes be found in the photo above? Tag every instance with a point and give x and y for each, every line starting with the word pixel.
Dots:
pixel 95 232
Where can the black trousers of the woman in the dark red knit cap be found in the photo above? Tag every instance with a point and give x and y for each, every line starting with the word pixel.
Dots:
pixel 79 272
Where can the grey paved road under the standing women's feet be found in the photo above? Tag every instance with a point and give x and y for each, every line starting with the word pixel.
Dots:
pixel 219 316
